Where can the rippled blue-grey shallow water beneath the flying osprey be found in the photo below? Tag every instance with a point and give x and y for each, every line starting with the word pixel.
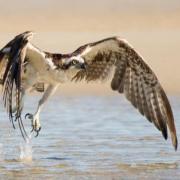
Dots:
pixel 88 137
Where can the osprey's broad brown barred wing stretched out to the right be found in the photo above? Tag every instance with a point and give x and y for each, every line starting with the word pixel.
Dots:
pixel 131 76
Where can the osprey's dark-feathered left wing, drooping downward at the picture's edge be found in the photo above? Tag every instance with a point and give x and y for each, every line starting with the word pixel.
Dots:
pixel 14 54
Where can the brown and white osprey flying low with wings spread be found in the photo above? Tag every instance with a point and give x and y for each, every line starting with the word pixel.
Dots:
pixel 23 66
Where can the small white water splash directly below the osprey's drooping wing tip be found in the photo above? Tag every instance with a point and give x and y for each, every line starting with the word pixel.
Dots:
pixel 26 150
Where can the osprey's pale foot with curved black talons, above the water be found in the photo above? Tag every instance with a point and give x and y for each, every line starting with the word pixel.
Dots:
pixel 36 126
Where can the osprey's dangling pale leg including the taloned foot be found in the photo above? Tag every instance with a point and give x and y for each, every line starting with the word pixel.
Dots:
pixel 36 126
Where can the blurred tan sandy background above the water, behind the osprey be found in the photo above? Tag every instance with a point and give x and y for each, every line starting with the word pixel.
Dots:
pixel 152 27
